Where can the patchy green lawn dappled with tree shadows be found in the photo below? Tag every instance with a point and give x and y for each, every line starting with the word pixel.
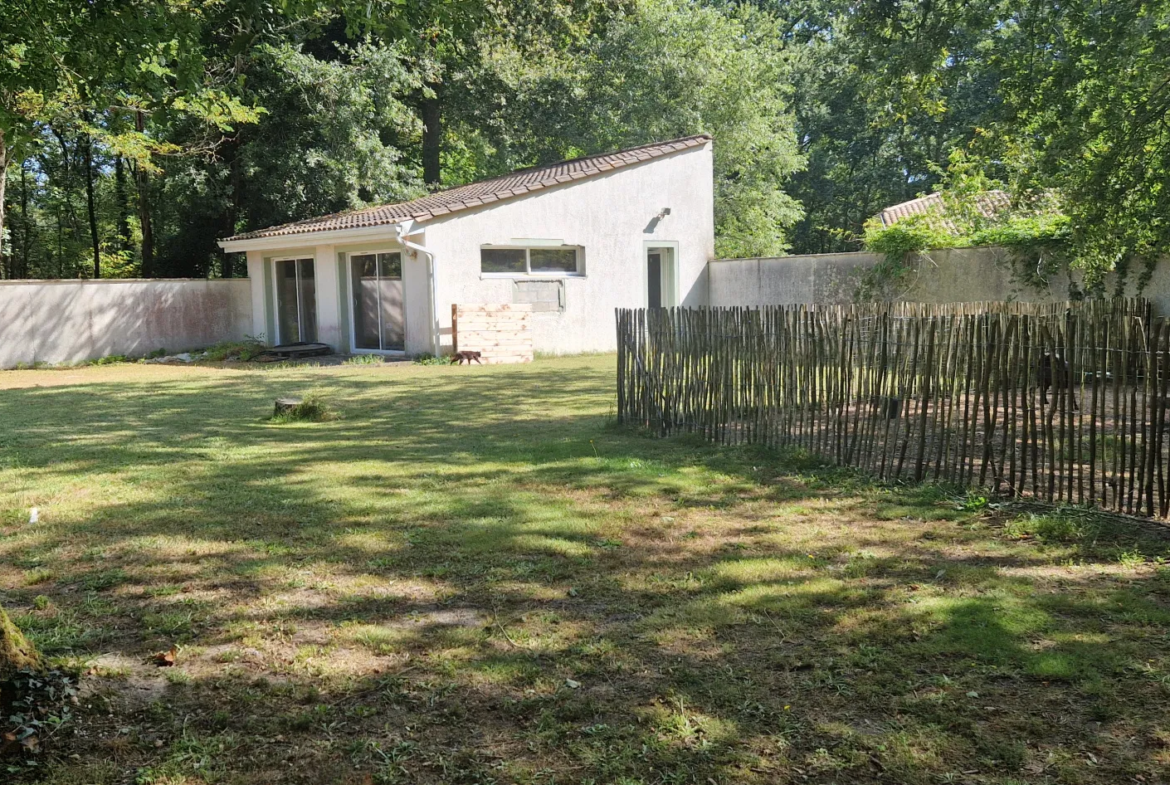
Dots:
pixel 474 577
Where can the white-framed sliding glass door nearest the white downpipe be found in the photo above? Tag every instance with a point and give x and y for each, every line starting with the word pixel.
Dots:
pixel 377 291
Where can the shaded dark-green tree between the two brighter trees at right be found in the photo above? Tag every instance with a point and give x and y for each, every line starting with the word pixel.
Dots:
pixel 883 94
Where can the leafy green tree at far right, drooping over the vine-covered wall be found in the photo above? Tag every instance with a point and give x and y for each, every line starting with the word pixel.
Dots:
pixel 1073 100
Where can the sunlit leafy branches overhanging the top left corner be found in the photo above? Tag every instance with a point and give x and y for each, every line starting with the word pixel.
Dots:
pixel 71 64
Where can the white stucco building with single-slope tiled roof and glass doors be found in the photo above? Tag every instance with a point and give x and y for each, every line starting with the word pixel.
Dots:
pixel 576 239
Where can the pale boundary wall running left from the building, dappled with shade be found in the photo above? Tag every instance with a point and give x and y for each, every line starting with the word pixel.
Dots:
pixel 75 321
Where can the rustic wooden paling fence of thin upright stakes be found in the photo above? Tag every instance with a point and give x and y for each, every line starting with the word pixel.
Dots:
pixel 1063 403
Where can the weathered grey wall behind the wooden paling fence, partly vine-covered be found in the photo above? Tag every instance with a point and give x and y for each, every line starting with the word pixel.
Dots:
pixel 955 276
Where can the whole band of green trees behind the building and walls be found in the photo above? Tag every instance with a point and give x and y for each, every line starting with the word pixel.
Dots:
pixel 134 135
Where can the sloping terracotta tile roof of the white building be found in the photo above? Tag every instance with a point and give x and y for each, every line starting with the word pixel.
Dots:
pixel 474 195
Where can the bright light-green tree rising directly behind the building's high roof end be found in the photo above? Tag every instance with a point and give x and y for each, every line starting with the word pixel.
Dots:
pixel 664 70
